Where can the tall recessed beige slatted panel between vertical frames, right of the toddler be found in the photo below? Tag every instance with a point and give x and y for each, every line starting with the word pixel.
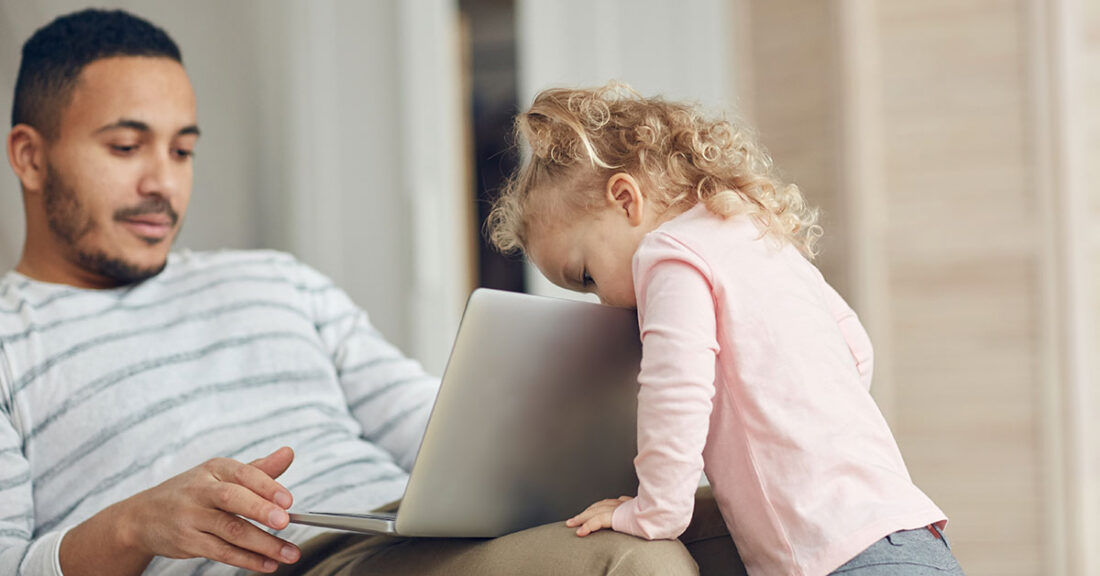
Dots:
pixel 960 193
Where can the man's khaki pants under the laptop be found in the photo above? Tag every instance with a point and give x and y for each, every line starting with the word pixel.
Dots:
pixel 548 550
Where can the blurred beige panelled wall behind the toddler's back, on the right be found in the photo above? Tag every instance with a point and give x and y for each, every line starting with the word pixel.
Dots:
pixel 929 132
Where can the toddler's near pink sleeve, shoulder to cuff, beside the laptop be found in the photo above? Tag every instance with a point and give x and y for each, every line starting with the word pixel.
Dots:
pixel 677 316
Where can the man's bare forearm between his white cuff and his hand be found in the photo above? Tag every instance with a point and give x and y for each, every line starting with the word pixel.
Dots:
pixel 103 546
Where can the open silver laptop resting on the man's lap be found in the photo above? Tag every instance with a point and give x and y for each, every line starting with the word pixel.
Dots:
pixel 535 420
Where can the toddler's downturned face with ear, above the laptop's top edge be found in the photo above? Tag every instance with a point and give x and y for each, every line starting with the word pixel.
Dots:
pixel 595 253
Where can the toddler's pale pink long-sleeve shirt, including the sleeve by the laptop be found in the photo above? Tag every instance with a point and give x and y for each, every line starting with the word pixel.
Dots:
pixel 755 370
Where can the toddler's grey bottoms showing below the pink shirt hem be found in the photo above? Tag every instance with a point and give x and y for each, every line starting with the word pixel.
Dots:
pixel 907 553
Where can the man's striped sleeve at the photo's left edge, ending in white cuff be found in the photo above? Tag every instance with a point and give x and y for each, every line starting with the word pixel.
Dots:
pixel 21 553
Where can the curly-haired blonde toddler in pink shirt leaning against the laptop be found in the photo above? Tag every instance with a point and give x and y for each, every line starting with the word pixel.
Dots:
pixel 754 369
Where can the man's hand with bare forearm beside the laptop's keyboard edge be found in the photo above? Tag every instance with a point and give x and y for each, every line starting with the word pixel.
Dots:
pixel 200 514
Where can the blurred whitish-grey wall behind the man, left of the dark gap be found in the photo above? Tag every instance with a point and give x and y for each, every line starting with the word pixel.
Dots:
pixel 332 130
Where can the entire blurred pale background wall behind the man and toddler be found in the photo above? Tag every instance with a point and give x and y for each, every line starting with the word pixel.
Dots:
pixel 952 145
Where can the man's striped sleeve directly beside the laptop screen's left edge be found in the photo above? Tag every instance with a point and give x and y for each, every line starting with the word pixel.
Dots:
pixel 389 394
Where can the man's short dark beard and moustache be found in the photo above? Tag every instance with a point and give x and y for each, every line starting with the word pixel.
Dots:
pixel 70 221
